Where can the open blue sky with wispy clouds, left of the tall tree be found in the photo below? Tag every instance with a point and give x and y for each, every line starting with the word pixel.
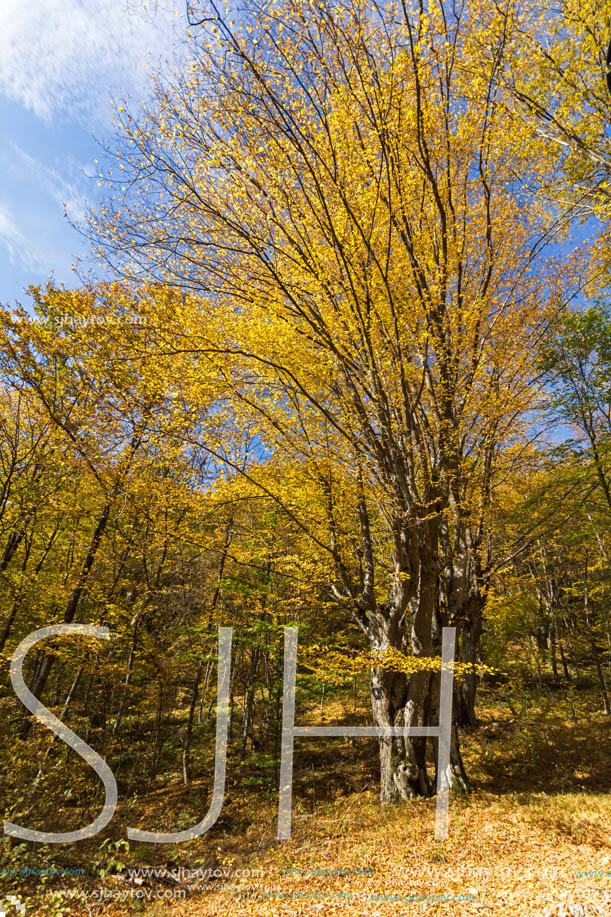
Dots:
pixel 61 63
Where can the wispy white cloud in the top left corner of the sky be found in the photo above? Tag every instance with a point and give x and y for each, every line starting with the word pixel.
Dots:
pixel 69 57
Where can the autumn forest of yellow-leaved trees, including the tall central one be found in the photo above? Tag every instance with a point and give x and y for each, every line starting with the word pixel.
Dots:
pixel 345 364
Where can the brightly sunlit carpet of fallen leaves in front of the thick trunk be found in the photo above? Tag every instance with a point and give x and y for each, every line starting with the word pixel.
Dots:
pixel 522 854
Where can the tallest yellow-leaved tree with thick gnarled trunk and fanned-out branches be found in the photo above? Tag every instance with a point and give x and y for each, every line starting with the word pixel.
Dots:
pixel 357 212
